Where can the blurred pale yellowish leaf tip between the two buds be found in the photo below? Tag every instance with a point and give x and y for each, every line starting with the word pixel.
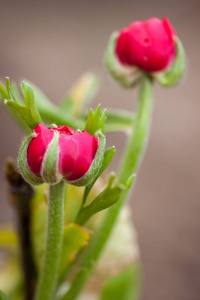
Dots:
pixel 82 93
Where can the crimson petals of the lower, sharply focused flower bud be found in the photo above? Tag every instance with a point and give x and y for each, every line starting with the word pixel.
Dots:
pixel 75 151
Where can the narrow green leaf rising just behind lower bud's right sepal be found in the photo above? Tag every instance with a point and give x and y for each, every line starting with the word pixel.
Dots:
pixel 108 156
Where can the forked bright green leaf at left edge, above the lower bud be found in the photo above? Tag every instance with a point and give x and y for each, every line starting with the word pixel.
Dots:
pixel 28 112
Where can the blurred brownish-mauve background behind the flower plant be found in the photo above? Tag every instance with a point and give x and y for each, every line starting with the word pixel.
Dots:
pixel 52 43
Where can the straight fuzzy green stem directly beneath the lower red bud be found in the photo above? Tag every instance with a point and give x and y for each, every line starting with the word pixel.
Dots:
pixel 49 274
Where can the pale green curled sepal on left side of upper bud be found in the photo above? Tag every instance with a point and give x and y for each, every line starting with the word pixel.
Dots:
pixel 128 76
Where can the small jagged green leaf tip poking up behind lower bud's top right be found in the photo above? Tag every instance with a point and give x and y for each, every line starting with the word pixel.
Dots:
pixel 95 121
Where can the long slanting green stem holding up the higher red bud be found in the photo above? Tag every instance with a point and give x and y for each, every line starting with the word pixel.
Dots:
pixel 132 157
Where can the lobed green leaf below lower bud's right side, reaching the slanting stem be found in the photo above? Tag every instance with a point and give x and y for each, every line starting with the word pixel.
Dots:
pixel 109 196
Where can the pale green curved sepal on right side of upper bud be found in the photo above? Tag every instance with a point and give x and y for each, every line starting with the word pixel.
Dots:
pixel 176 71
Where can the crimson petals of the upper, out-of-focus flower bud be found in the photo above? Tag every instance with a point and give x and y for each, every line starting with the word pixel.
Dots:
pixel 148 45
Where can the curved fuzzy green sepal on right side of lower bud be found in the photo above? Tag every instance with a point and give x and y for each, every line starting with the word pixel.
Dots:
pixel 96 164
